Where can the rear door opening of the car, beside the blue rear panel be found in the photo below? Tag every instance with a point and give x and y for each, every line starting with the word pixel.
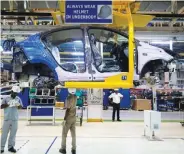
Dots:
pixel 67 47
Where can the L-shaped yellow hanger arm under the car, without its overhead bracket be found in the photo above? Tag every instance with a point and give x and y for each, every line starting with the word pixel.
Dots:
pixel 115 81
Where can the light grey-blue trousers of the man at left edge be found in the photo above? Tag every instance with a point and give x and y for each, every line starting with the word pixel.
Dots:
pixel 9 126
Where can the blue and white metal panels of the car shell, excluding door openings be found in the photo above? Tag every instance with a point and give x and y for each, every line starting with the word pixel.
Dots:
pixel 35 52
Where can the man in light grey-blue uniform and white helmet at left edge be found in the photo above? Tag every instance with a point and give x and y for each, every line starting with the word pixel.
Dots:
pixel 10 104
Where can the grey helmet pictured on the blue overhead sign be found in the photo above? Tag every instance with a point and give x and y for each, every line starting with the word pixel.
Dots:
pixel 105 11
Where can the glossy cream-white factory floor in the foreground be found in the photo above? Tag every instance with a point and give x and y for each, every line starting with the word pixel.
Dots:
pixel 100 138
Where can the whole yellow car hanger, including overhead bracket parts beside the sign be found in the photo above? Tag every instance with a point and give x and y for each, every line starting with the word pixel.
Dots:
pixel 122 18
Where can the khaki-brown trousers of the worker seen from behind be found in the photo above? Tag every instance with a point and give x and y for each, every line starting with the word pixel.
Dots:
pixel 69 125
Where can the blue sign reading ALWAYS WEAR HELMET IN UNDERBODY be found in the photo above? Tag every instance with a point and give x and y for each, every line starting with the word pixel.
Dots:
pixel 88 12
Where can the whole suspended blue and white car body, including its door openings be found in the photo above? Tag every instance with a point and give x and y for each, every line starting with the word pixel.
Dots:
pixel 96 52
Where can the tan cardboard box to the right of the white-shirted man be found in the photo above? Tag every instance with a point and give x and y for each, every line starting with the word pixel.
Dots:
pixel 142 104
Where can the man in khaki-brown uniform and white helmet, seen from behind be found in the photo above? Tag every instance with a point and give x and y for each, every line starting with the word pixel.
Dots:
pixel 69 121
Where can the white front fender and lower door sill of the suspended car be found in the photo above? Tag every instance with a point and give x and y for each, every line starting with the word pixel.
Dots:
pixel 146 53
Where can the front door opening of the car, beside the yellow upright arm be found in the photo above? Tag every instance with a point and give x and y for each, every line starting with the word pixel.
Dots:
pixel 110 50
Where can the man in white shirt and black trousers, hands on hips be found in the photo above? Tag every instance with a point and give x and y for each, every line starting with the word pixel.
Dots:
pixel 116 98
